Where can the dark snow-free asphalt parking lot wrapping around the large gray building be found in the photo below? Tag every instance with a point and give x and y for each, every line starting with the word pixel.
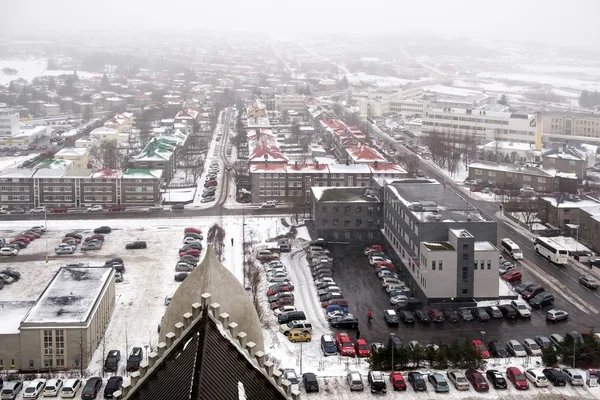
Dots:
pixel 362 289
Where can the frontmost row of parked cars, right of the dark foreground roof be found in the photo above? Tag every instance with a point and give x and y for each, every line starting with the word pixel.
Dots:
pixel 471 378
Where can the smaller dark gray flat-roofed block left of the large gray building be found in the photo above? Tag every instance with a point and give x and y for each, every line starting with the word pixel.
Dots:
pixel 351 214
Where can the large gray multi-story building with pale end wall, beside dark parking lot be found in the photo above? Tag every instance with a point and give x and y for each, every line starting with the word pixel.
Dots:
pixel 417 214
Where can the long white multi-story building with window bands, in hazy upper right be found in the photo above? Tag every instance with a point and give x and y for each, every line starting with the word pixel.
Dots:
pixel 486 125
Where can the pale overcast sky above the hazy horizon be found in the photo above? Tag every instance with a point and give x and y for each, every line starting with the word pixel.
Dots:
pixel 552 21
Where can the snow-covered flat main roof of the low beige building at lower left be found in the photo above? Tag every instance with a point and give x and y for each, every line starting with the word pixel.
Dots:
pixel 70 297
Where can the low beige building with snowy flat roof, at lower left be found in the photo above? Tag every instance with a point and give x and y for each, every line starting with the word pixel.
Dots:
pixel 63 328
